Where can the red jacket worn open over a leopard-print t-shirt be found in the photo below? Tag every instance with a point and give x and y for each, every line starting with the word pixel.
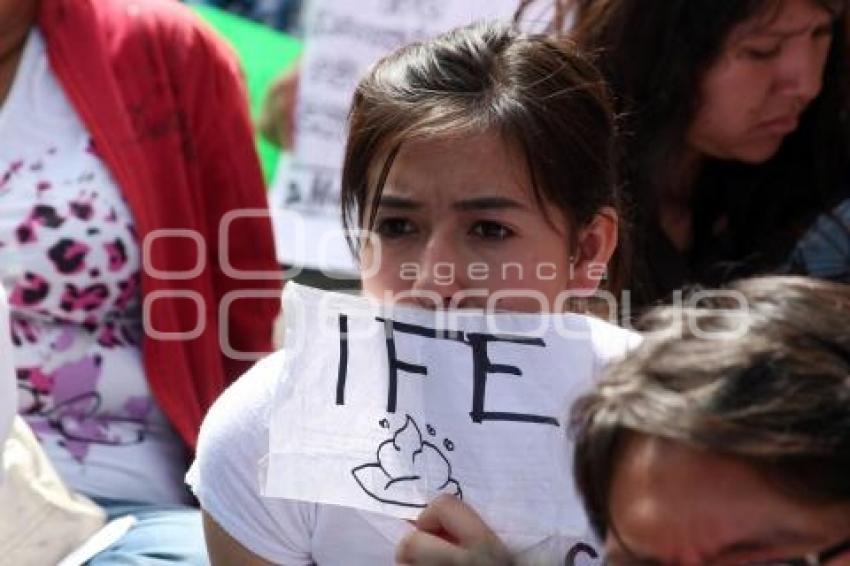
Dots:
pixel 164 101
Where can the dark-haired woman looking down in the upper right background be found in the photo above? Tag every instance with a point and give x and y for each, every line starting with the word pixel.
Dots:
pixel 734 154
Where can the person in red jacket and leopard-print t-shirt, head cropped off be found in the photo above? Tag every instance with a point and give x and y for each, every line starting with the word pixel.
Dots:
pixel 125 142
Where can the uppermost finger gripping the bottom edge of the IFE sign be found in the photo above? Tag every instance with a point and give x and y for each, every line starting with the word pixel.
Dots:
pixel 449 515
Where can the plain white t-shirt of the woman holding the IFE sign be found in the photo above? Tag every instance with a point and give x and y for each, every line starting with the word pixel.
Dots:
pixel 225 477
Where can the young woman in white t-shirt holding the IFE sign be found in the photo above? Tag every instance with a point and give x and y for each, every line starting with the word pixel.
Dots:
pixel 480 148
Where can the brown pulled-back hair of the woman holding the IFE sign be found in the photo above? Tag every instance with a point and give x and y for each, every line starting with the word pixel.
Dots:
pixel 540 95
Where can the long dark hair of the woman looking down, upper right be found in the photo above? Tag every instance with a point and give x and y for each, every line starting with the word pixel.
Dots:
pixel 654 54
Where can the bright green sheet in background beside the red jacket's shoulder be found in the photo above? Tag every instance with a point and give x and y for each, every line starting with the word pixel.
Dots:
pixel 264 54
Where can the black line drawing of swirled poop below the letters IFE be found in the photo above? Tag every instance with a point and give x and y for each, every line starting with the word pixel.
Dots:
pixel 407 467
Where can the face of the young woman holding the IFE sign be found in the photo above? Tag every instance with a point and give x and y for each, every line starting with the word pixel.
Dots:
pixel 458 222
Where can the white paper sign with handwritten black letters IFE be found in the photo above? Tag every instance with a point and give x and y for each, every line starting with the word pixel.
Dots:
pixel 383 409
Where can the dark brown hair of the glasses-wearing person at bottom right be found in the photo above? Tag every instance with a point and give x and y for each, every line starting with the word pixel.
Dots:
pixel 760 373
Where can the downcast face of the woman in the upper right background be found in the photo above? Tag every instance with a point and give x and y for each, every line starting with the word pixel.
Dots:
pixel 770 68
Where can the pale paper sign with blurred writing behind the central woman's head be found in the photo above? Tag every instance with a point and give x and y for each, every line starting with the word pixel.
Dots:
pixel 342 39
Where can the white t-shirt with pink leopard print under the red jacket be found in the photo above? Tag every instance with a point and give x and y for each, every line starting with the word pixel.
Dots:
pixel 70 261
